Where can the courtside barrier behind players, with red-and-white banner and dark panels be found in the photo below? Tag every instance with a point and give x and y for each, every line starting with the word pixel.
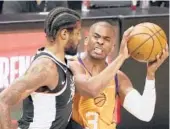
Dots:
pixel 19 41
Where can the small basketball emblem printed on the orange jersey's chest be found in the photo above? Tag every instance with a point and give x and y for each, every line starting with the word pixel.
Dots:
pixel 100 100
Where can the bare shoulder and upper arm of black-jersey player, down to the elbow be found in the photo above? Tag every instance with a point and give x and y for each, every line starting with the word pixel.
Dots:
pixel 40 73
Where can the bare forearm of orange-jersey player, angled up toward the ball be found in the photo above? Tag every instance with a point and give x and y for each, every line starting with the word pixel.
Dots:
pixel 100 81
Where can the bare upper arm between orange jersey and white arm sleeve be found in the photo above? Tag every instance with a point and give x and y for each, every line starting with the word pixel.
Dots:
pixel 125 85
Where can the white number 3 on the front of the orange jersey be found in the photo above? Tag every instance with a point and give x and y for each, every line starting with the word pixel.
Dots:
pixel 92 120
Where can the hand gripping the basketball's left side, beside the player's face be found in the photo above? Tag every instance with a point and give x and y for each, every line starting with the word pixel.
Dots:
pixel 123 46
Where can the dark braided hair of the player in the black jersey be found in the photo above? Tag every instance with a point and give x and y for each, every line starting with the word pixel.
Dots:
pixel 59 18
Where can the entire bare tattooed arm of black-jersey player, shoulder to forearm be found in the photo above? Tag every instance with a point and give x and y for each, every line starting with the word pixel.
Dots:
pixel 36 76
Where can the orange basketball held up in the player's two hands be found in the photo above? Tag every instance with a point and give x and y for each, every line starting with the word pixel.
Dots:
pixel 146 42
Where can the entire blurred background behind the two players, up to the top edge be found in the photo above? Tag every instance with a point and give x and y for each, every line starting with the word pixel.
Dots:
pixel 21 34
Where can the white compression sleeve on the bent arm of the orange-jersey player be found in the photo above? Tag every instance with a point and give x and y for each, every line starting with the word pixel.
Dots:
pixel 143 106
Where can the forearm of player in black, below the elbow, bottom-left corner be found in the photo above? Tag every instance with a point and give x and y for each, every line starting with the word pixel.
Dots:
pixel 5 120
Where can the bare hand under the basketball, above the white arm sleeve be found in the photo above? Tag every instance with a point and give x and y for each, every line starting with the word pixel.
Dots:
pixel 153 66
